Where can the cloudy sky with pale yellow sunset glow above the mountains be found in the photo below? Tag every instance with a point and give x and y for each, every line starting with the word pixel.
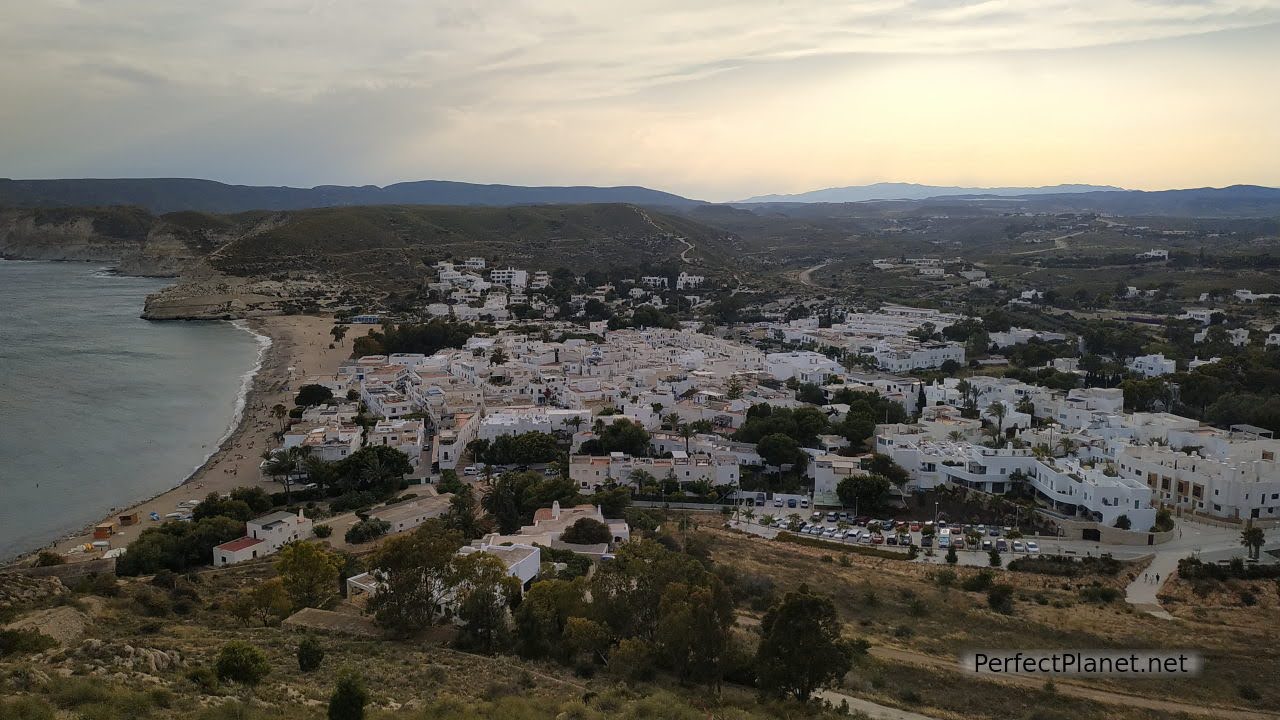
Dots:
pixel 711 99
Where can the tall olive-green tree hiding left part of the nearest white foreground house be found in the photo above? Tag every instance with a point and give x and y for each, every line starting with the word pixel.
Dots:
pixel 415 573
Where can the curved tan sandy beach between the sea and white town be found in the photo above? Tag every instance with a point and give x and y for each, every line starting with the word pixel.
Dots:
pixel 300 349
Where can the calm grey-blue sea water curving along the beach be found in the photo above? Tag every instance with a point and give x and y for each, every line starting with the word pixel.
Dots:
pixel 99 408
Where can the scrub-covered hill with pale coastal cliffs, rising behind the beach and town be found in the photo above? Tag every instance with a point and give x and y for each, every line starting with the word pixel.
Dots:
pixel 287 262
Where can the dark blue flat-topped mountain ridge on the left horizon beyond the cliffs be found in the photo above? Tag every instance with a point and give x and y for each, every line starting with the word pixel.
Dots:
pixel 171 195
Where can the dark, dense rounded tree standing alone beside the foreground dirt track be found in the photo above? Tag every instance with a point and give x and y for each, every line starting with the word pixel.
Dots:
pixel 801 646
